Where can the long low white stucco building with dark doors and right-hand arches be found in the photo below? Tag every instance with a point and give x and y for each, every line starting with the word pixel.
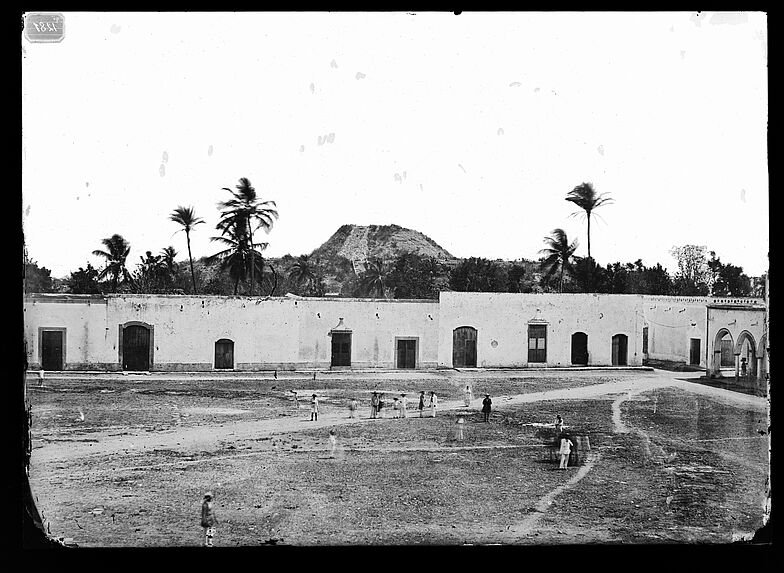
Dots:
pixel 463 330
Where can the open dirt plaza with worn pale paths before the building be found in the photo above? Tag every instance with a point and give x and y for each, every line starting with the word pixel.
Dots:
pixel 123 460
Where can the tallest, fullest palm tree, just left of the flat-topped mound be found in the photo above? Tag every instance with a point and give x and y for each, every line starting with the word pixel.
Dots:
pixel 245 204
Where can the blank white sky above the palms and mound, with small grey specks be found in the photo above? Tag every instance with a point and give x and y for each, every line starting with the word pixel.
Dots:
pixel 470 128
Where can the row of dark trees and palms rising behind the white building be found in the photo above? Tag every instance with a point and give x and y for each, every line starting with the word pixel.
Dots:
pixel 240 268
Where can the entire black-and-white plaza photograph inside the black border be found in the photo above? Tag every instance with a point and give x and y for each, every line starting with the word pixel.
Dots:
pixel 353 279
